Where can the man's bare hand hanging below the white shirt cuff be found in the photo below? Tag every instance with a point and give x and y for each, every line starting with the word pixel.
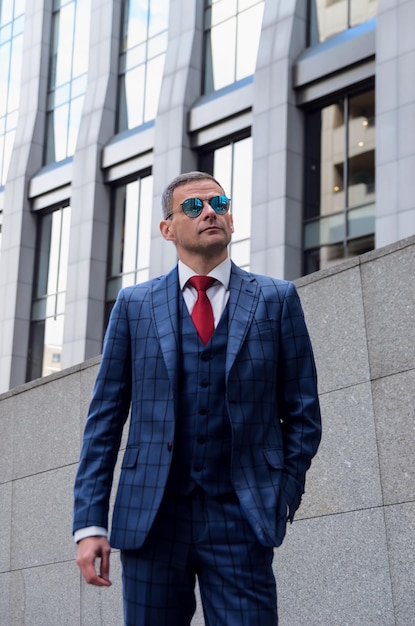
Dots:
pixel 89 550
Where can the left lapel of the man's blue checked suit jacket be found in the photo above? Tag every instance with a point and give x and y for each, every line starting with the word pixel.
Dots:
pixel 164 307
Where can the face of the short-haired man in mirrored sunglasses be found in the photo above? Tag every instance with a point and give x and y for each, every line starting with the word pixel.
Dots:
pixel 207 235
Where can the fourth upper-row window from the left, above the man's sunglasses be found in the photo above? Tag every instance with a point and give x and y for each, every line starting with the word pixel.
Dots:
pixel 231 34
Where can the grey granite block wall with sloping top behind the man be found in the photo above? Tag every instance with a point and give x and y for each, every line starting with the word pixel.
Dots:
pixel 349 555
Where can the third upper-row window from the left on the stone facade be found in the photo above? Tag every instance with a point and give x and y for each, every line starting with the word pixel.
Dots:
pixel 142 55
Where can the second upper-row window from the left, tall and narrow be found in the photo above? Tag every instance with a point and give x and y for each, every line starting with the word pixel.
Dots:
pixel 68 68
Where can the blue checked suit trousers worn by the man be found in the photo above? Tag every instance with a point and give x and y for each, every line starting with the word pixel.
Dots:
pixel 208 538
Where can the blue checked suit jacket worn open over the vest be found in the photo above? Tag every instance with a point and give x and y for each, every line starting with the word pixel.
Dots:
pixel 271 398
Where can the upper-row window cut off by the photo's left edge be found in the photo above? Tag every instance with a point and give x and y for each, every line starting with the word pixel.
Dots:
pixel 11 42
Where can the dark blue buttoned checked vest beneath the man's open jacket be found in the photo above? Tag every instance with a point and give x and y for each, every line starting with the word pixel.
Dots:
pixel 202 447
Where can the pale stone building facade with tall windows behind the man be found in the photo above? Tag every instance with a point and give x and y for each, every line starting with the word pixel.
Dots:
pixel 304 110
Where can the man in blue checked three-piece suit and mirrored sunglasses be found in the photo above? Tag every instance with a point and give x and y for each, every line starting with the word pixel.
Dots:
pixel 222 429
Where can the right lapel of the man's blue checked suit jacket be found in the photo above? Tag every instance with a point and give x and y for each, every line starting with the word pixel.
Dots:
pixel 243 299
